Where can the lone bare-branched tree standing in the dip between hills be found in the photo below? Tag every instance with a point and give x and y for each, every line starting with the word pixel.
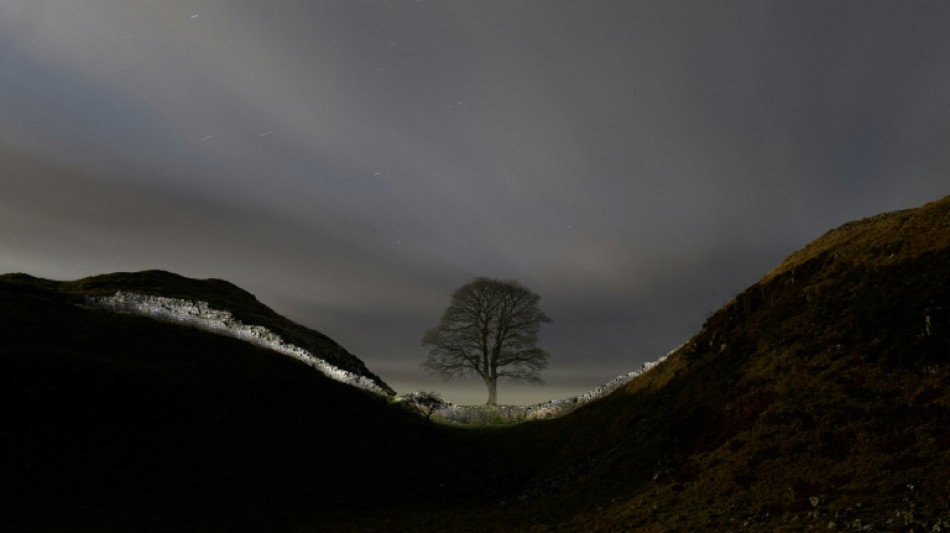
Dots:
pixel 489 329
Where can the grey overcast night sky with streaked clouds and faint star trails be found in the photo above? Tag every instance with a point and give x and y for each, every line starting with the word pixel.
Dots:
pixel 353 162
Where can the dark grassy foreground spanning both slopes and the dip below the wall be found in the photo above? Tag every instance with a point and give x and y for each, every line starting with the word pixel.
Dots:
pixel 818 398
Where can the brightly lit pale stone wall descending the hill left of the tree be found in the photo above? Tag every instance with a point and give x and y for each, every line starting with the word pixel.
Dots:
pixel 199 314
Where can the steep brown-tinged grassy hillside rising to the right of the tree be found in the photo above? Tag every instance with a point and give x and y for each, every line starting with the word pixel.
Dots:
pixel 819 397
